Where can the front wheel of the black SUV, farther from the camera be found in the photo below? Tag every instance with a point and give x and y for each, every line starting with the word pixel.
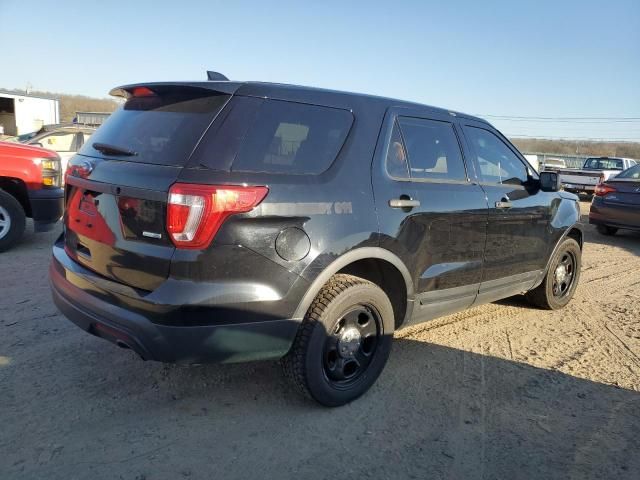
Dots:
pixel 561 280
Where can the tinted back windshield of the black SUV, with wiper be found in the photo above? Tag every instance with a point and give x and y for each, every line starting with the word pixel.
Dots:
pixel 161 129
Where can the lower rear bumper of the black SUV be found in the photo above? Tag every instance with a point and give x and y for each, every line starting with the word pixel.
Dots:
pixel 80 301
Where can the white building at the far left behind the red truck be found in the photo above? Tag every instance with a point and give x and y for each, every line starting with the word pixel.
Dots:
pixel 21 114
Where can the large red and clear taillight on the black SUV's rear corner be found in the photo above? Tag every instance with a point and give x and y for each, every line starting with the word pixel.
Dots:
pixel 196 212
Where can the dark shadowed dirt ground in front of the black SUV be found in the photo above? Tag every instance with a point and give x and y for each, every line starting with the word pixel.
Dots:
pixel 436 412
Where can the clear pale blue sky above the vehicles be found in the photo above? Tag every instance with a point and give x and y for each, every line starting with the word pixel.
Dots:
pixel 505 58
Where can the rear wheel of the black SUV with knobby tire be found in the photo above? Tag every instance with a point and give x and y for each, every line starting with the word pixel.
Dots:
pixel 343 342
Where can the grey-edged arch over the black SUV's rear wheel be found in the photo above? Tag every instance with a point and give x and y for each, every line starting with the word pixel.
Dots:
pixel 375 264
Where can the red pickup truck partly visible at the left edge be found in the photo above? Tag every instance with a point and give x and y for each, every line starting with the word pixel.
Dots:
pixel 30 186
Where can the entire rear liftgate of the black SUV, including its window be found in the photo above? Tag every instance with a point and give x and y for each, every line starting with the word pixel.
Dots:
pixel 117 186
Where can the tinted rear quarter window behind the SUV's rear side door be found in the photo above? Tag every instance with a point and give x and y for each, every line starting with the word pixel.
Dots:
pixel 293 138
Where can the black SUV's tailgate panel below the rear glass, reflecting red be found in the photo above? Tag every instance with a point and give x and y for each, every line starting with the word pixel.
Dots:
pixel 118 231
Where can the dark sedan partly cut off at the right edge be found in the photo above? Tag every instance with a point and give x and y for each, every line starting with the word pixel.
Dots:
pixel 616 203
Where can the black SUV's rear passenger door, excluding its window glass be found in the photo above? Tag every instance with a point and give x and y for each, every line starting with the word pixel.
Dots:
pixel 441 239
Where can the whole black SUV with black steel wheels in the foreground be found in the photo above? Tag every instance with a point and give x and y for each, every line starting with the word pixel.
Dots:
pixel 233 221
